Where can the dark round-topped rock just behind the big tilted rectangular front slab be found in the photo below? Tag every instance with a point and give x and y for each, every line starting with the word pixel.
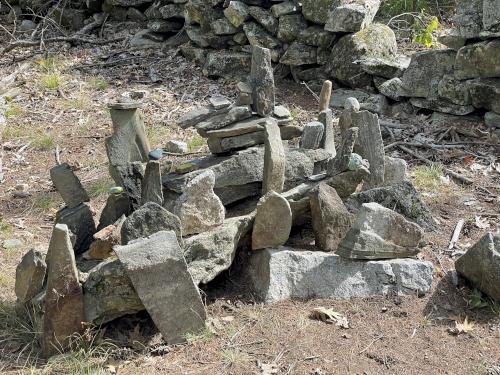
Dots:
pixel 149 219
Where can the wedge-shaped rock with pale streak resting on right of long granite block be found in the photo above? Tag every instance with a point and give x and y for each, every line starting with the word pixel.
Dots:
pixel 380 233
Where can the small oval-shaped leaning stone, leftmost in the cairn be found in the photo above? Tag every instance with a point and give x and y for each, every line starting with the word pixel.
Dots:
pixel 30 275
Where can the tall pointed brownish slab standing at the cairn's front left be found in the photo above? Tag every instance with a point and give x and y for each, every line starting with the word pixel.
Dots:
pixel 64 298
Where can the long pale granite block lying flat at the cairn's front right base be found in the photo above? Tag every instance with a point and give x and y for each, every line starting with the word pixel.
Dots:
pixel 282 273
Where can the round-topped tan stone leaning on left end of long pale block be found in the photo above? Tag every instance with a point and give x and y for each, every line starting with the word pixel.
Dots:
pixel 273 222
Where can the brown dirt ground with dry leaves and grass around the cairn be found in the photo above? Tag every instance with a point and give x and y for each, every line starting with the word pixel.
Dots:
pixel 61 102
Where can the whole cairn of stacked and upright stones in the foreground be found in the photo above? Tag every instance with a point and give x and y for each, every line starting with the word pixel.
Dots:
pixel 161 234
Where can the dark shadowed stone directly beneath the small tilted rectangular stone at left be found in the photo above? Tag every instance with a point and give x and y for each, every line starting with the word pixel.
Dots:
pixel 81 223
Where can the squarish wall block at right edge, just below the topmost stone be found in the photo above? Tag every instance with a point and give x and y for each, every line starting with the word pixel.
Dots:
pixel 478 60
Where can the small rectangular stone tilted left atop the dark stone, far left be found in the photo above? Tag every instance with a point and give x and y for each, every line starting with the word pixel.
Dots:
pixel 68 185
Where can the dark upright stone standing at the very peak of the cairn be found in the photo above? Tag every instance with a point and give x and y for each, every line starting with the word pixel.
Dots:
pixel 262 81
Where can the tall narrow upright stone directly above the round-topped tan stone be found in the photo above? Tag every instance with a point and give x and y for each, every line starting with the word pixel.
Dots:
pixel 274 158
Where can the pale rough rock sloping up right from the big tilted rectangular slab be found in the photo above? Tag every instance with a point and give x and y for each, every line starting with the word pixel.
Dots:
pixel 210 253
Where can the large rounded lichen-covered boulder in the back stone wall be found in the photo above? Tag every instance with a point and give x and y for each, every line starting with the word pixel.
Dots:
pixel 375 41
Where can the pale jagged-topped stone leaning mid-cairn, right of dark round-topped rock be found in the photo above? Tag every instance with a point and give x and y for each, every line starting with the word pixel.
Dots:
pixel 198 208
